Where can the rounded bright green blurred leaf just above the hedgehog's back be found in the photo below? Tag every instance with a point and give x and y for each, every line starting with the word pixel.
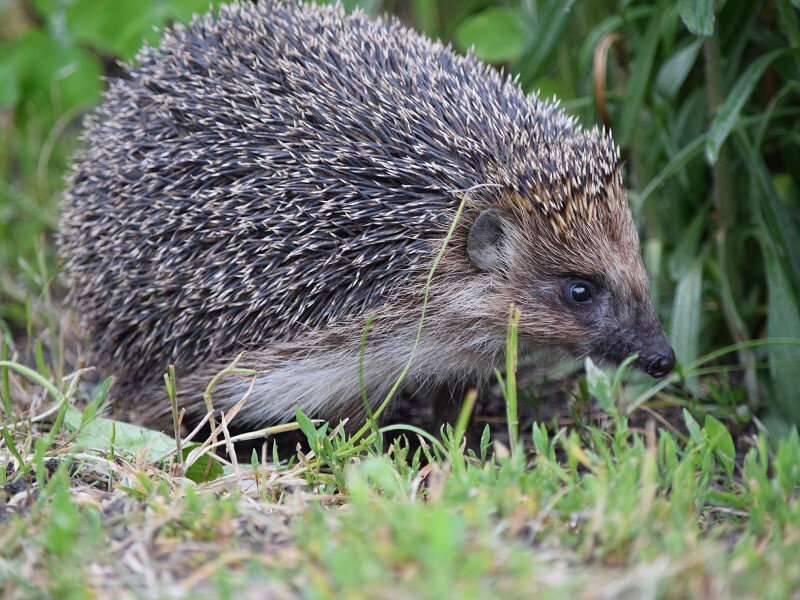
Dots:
pixel 497 34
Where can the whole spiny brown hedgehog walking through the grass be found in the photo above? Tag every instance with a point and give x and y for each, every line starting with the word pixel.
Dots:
pixel 272 176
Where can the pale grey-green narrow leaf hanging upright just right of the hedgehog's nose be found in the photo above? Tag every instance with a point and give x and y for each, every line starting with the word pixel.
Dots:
pixel 686 311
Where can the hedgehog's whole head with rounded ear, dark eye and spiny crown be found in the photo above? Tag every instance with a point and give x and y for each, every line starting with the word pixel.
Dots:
pixel 566 252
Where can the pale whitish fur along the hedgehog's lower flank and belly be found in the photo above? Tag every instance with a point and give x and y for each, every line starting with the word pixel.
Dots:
pixel 320 374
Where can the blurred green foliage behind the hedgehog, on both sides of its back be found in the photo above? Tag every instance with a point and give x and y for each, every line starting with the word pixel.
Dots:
pixel 702 97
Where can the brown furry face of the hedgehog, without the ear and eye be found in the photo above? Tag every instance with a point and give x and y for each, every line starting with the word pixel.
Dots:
pixel 547 246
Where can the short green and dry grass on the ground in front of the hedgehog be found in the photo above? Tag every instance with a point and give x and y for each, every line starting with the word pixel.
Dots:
pixel 594 510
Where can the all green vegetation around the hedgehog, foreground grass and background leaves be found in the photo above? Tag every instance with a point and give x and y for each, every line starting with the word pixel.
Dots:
pixel 587 484
